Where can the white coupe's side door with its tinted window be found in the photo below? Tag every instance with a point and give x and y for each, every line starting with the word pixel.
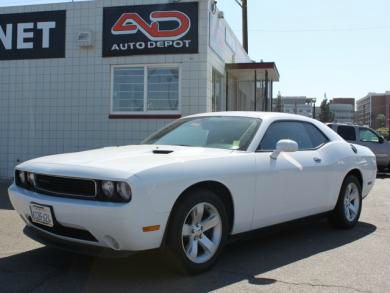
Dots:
pixel 295 184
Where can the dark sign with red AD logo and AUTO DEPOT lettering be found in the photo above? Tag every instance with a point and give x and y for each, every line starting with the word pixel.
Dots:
pixel 150 29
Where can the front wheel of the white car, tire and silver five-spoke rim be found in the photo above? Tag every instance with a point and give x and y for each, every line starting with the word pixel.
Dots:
pixel 195 249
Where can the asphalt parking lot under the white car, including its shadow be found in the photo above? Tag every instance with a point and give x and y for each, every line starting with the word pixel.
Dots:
pixel 307 256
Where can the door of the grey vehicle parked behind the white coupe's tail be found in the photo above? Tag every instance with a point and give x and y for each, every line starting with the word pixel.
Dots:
pixel 370 139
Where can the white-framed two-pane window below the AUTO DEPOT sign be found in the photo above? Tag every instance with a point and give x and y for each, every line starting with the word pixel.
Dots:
pixel 145 89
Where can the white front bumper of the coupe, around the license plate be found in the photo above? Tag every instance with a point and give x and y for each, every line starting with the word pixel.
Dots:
pixel 116 226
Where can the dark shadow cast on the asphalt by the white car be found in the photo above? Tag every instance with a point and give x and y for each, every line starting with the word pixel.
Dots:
pixel 48 270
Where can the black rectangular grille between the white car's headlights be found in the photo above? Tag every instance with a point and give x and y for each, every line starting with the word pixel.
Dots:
pixel 65 186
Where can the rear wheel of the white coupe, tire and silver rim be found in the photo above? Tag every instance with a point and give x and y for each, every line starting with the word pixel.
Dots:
pixel 349 204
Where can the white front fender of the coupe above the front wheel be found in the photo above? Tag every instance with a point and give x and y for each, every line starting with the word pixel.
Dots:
pixel 165 184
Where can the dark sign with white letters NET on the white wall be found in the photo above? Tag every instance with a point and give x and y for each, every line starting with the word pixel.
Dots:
pixel 32 35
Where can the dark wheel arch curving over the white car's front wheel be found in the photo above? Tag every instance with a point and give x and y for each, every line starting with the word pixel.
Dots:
pixel 220 189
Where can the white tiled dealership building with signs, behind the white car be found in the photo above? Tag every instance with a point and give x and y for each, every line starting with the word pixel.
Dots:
pixel 75 76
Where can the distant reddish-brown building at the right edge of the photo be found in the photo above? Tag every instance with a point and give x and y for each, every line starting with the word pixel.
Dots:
pixel 374 110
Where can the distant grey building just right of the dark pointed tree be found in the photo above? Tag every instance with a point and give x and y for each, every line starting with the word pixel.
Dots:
pixel 343 110
